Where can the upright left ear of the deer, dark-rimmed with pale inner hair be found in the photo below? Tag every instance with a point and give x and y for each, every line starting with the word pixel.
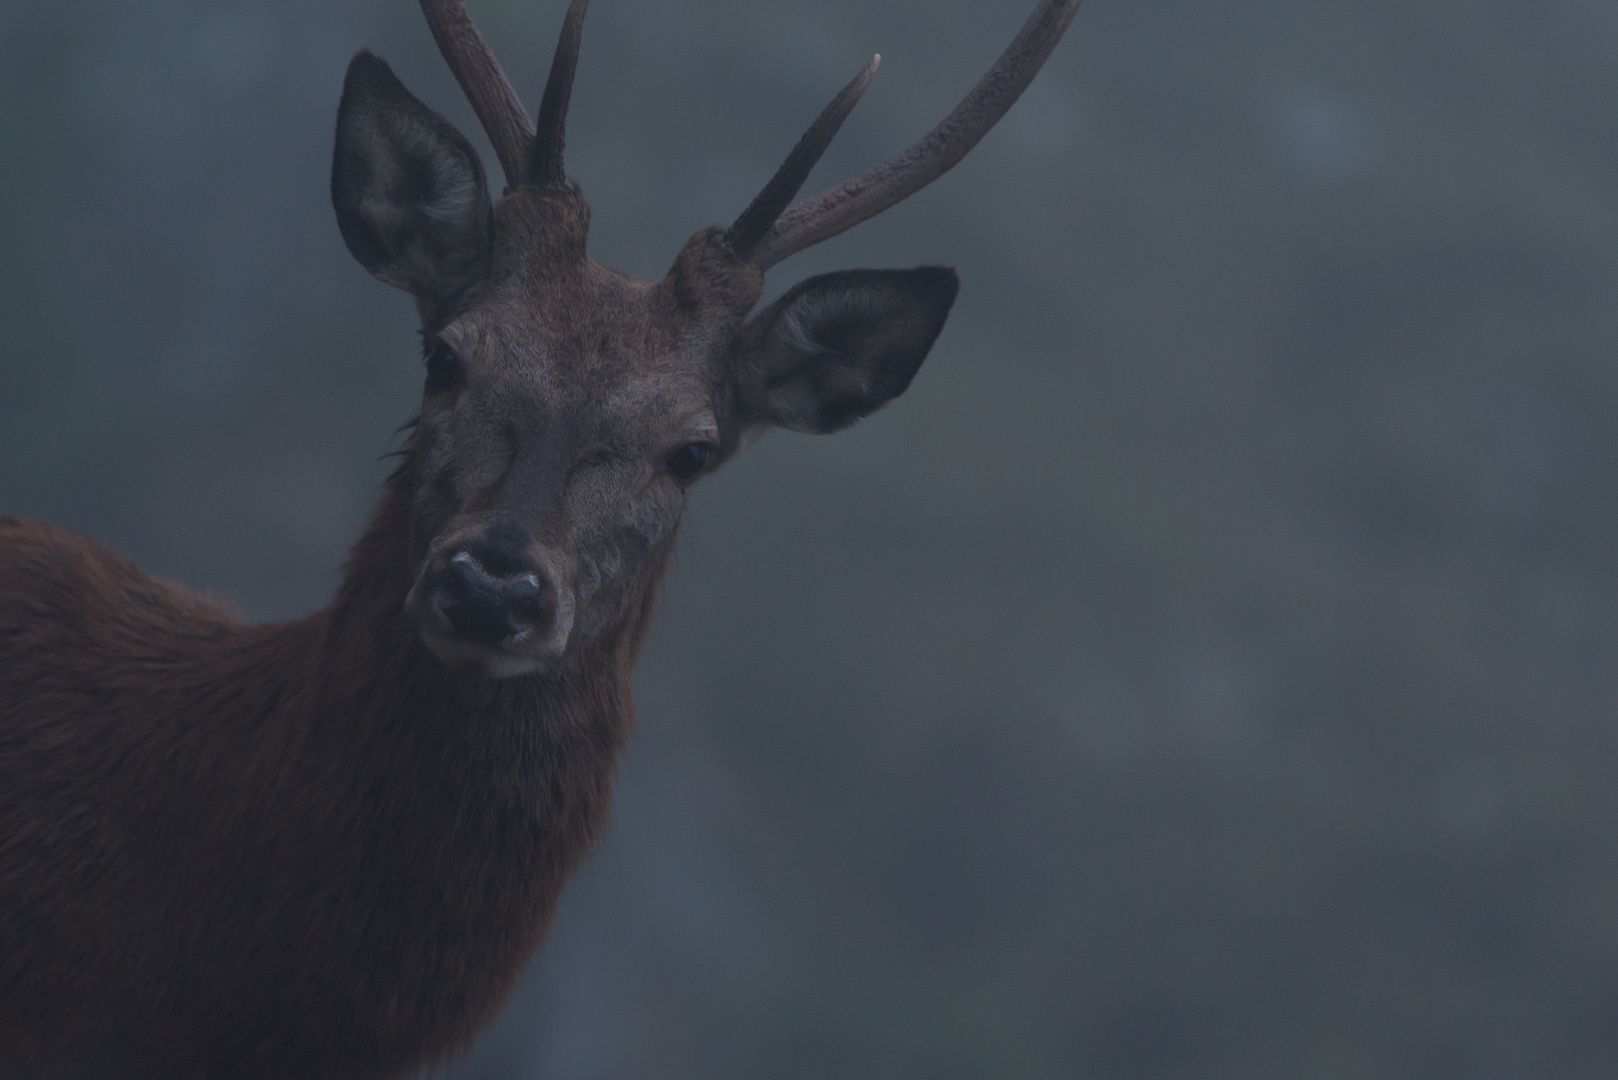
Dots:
pixel 409 189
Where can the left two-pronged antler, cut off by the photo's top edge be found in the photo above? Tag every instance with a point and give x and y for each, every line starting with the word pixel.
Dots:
pixel 528 158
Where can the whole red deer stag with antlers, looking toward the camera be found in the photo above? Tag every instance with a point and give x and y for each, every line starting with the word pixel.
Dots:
pixel 324 849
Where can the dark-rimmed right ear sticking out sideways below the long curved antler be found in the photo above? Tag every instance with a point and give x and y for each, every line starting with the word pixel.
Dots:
pixel 841 347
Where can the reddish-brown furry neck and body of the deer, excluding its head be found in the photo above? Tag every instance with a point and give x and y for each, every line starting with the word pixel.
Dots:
pixel 289 851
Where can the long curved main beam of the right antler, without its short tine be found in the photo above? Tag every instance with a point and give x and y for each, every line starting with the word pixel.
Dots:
pixel 824 216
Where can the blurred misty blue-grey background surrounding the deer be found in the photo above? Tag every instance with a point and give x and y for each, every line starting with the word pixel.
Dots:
pixel 1208 670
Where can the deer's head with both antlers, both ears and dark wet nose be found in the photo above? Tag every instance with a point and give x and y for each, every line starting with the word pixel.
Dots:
pixel 569 409
